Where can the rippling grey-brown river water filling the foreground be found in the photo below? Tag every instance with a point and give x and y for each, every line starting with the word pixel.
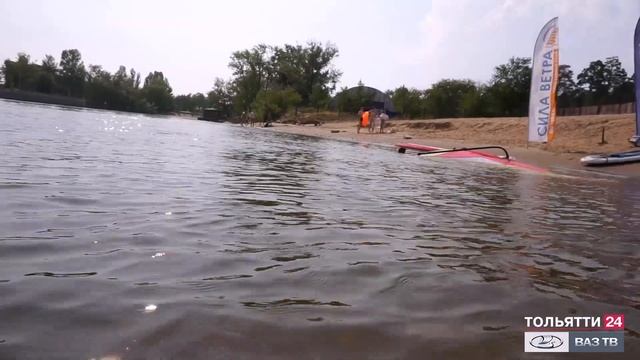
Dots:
pixel 128 236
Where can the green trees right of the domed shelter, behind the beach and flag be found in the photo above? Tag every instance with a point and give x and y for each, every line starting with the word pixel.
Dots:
pixel 507 93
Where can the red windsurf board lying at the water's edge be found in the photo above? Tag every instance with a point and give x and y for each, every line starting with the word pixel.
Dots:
pixel 474 155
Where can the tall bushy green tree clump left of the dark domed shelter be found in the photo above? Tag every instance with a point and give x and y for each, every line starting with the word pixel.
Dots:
pixel 272 80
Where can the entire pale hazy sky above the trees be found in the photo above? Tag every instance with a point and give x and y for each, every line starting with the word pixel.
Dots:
pixel 384 43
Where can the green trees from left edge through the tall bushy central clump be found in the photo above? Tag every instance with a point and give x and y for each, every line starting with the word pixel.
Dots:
pixel 267 80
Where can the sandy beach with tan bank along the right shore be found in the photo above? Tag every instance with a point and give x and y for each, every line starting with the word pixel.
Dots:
pixel 576 136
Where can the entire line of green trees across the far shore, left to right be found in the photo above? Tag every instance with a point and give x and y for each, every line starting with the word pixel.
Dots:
pixel 272 80
